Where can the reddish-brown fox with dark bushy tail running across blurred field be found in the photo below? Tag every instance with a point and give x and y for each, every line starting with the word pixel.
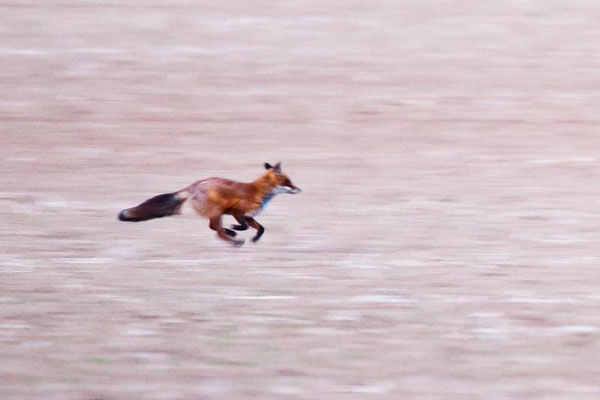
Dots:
pixel 214 197
